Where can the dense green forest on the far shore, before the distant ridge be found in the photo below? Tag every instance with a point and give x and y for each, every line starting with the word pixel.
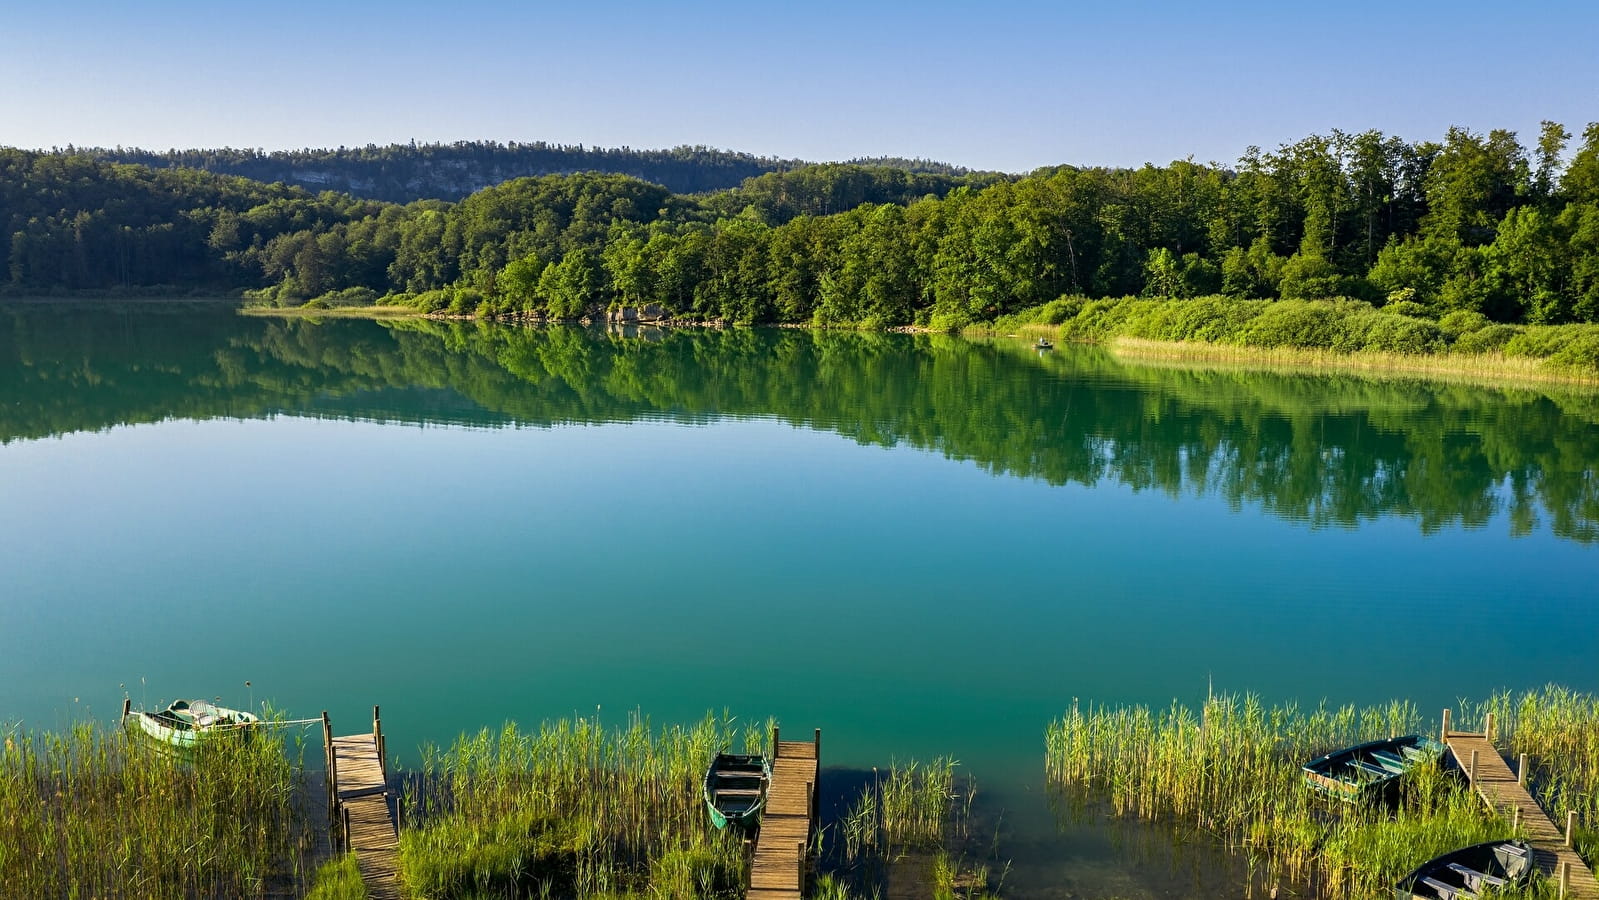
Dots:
pixel 1477 225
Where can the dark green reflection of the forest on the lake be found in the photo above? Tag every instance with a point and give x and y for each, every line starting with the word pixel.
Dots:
pixel 1088 420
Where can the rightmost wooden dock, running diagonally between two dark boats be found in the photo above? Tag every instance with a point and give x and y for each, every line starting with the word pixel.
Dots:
pixel 1507 794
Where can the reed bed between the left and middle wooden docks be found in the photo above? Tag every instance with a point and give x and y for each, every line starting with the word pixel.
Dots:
pixel 573 810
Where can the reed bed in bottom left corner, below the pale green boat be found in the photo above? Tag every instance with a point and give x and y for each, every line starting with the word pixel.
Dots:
pixel 100 813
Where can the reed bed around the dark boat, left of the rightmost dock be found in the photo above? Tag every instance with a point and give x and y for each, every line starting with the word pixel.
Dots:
pixel 1234 771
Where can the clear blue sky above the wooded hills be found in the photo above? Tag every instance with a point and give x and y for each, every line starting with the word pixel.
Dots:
pixel 1002 86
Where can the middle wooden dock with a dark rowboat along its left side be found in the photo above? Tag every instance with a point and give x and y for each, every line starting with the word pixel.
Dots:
pixel 783 845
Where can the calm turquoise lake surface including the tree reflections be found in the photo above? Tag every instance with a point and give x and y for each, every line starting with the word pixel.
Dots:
pixel 922 544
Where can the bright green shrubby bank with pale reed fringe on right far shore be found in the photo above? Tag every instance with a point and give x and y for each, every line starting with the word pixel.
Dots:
pixel 1320 333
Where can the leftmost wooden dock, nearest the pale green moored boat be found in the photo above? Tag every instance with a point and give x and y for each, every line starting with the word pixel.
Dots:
pixel 359 806
